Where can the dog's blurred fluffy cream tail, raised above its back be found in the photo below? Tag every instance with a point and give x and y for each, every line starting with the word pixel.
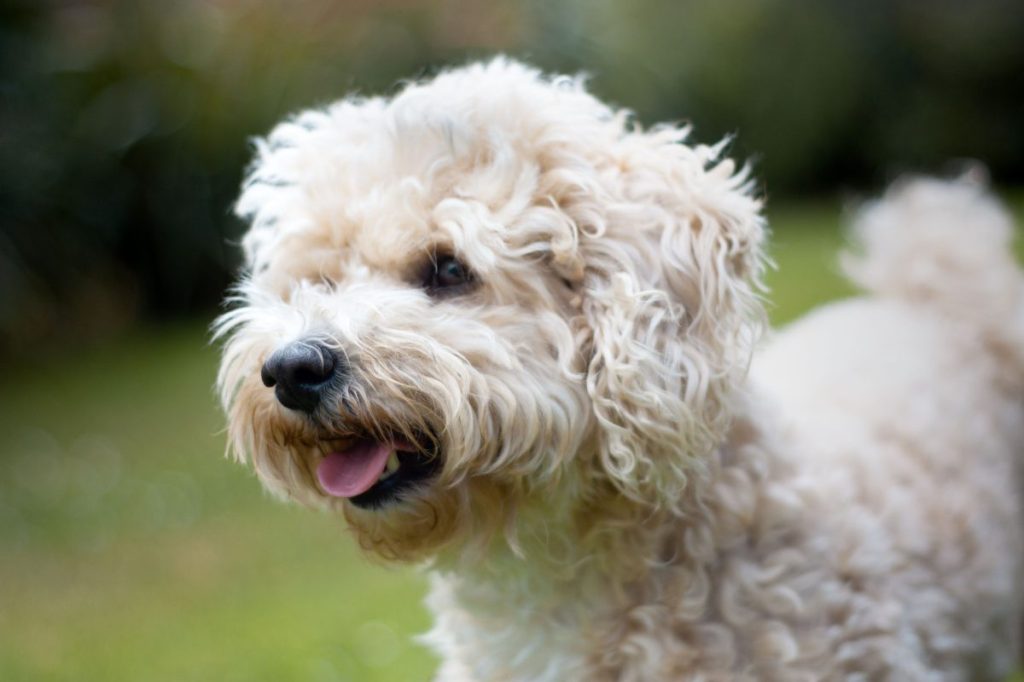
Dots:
pixel 947 245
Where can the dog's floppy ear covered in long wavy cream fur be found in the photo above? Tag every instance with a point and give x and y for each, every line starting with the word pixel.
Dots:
pixel 670 299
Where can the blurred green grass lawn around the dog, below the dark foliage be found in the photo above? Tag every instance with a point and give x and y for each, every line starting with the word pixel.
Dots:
pixel 134 550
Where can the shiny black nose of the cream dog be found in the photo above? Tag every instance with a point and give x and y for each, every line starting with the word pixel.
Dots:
pixel 301 373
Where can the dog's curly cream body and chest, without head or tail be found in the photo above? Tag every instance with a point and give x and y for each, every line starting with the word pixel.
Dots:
pixel 862 523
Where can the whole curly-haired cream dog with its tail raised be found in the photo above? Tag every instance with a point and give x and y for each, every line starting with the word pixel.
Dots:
pixel 500 327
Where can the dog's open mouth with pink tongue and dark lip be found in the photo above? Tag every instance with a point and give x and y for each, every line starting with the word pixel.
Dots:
pixel 372 474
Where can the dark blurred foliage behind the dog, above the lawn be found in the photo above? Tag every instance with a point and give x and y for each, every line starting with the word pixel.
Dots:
pixel 124 123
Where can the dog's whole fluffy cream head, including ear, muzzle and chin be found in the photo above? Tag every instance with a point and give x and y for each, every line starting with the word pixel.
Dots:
pixel 486 295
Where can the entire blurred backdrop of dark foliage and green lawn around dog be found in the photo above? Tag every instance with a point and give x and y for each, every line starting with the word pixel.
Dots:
pixel 130 548
